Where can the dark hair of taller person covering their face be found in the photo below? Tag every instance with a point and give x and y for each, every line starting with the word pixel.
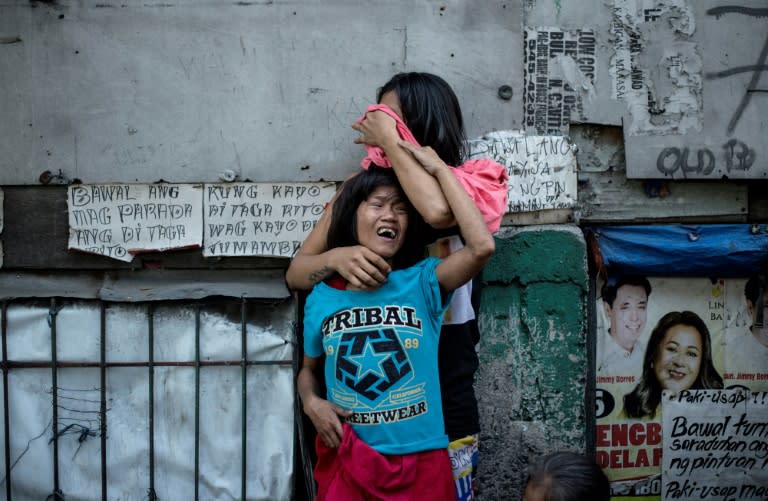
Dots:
pixel 431 111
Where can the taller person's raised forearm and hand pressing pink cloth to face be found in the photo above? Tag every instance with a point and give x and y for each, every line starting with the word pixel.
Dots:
pixel 422 189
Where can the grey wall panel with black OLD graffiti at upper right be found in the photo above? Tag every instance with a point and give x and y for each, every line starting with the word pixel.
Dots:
pixel 720 135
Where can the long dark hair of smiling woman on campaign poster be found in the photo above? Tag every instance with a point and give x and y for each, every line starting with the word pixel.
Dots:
pixel 643 400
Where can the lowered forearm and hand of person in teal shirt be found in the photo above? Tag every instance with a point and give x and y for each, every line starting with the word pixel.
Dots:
pixel 324 415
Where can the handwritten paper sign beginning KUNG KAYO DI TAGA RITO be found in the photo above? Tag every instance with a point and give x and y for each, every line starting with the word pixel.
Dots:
pixel 261 219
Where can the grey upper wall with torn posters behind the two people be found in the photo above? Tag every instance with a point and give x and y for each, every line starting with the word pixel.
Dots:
pixel 192 90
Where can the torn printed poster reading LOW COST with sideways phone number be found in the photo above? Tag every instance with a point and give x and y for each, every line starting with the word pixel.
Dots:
pixel 558 73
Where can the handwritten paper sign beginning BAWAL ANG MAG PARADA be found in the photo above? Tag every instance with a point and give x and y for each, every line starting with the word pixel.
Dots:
pixel 120 220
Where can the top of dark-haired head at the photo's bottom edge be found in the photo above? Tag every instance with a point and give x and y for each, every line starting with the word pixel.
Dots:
pixel 569 476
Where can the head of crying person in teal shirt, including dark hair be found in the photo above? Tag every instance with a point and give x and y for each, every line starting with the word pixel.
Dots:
pixel 372 210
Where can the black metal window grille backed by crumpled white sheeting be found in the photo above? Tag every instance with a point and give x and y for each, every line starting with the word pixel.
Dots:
pixel 156 400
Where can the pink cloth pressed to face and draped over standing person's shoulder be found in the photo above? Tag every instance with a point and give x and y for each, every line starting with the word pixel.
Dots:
pixel 484 180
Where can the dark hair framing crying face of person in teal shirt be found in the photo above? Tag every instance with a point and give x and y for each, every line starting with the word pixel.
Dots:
pixel 342 231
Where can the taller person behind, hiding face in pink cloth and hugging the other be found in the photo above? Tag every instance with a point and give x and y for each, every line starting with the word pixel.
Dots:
pixel 422 109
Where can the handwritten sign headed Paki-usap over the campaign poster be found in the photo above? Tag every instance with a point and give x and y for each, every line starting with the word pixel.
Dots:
pixel 715 445
